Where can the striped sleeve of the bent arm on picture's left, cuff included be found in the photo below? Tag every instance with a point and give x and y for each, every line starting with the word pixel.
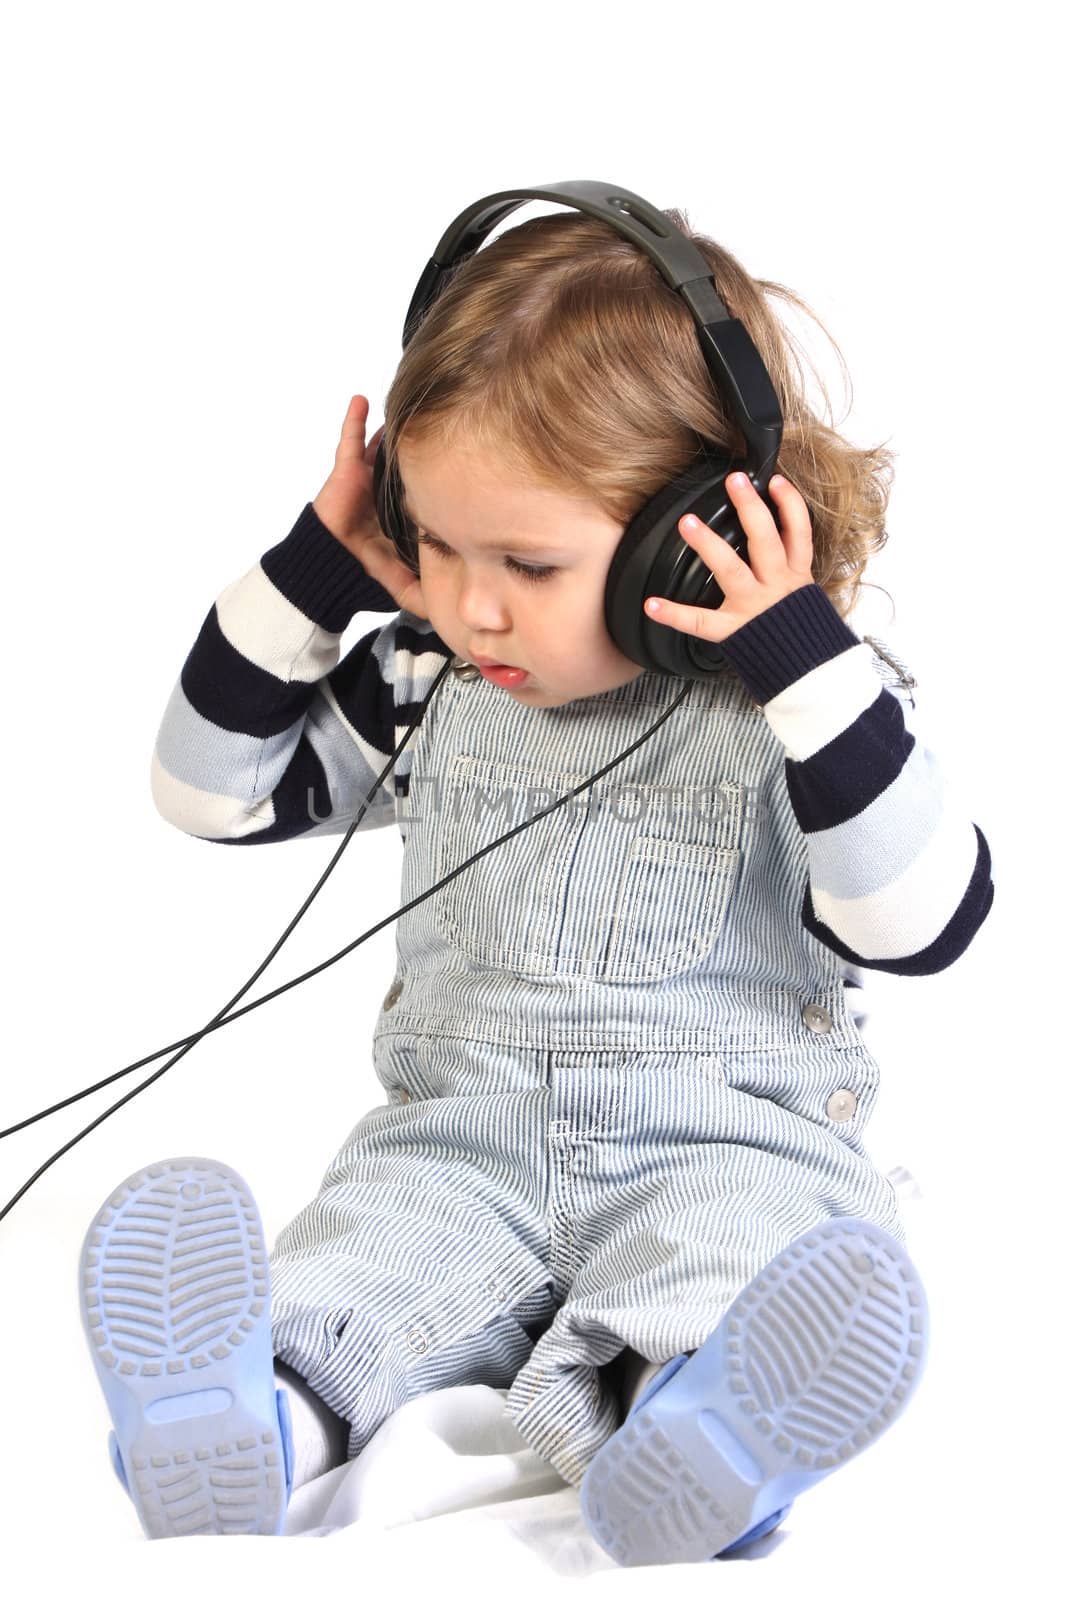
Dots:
pixel 266 735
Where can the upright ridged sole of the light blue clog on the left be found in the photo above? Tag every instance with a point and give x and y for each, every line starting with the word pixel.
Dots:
pixel 175 1297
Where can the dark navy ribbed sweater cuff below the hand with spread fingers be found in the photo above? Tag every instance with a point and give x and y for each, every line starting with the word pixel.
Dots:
pixel 788 641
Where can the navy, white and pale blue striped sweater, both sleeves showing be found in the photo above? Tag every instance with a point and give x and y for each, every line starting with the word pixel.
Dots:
pixel 270 735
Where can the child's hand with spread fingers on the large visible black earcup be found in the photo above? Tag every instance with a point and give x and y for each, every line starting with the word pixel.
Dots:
pixel 778 564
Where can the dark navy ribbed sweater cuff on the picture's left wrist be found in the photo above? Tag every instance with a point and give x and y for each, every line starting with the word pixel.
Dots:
pixel 321 577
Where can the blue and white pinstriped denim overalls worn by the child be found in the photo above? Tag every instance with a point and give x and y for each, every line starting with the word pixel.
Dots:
pixel 620 1073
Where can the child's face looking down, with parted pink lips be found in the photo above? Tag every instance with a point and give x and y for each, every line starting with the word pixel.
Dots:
pixel 476 599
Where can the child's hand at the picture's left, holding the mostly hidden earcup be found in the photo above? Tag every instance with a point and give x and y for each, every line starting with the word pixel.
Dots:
pixel 346 506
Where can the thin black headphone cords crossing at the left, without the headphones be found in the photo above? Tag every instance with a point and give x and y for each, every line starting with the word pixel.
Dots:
pixel 222 1018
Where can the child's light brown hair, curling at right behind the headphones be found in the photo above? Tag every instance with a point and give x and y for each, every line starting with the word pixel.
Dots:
pixel 562 351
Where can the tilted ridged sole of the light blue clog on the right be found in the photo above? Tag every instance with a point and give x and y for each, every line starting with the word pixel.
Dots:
pixel 810 1364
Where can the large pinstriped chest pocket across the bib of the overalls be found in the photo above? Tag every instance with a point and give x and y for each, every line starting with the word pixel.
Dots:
pixel 623 884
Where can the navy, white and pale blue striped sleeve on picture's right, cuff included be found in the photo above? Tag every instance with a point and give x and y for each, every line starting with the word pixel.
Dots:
pixel 900 879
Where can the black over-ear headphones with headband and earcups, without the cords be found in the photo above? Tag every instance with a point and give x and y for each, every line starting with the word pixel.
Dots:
pixel 652 558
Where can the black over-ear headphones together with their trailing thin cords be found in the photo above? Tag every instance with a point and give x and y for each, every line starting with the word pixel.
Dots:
pixel 652 556
